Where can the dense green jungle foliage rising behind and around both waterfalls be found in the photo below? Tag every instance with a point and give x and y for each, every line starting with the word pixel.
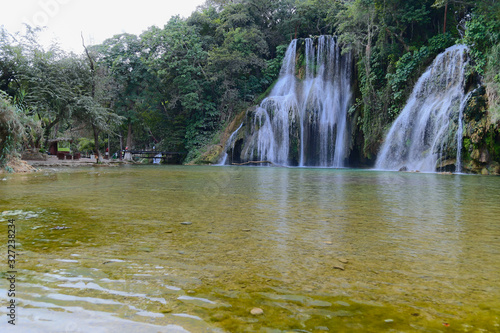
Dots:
pixel 178 86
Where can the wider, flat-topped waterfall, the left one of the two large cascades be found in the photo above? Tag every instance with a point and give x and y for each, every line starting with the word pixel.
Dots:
pixel 303 121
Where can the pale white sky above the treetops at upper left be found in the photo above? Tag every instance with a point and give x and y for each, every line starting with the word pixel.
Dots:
pixel 97 19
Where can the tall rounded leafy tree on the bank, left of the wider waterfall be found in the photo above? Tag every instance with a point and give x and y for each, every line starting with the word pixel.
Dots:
pixel 178 60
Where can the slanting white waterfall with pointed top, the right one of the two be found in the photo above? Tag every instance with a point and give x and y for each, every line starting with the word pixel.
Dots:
pixel 423 131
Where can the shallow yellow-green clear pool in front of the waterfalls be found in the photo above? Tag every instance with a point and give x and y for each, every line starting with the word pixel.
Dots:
pixel 177 248
